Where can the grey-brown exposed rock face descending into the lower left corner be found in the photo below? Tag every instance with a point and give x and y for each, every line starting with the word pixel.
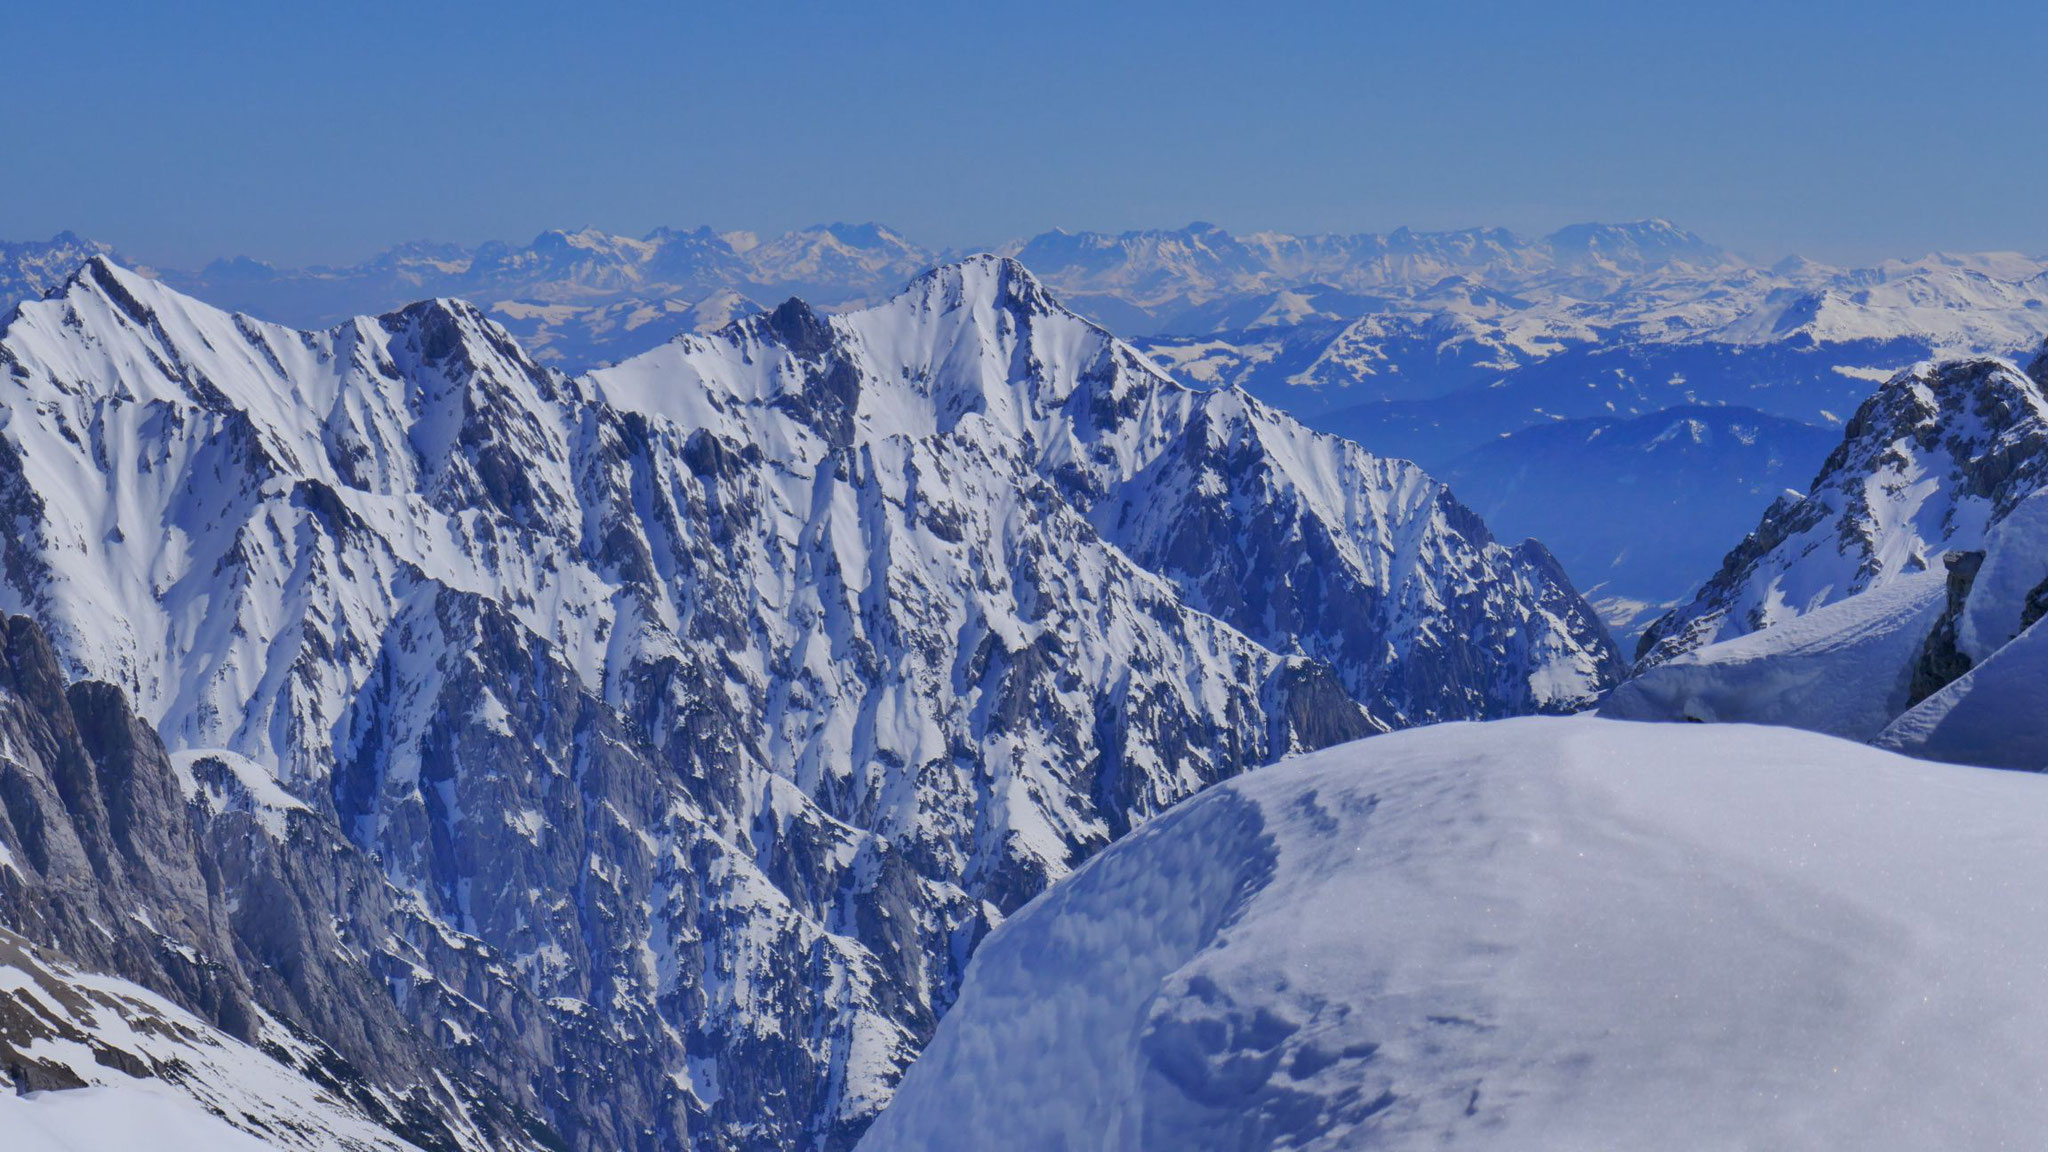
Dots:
pixel 222 895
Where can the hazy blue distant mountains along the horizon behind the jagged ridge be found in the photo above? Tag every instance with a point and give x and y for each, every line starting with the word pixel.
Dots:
pixel 1420 345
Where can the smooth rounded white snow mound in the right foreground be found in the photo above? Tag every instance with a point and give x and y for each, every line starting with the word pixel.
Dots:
pixel 1533 934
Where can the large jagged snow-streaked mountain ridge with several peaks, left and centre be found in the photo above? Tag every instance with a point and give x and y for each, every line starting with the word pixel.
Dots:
pixel 695 718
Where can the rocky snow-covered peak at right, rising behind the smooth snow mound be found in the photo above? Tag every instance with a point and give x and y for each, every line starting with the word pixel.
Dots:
pixel 1889 589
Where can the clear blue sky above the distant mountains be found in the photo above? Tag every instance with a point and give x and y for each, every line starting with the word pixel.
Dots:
pixel 323 132
